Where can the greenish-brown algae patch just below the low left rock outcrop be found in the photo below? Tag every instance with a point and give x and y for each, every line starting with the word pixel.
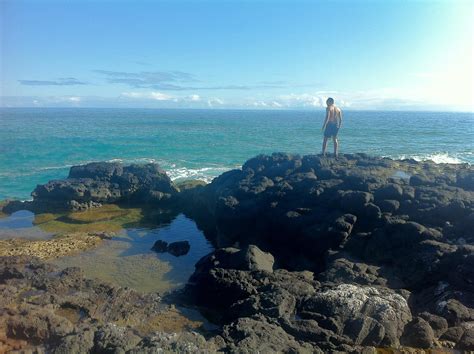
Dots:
pixel 108 218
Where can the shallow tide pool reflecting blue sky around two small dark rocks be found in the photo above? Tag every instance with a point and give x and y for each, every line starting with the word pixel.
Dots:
pixel 127 260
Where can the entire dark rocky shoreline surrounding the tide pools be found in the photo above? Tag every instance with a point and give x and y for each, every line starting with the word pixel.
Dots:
pixel 312 254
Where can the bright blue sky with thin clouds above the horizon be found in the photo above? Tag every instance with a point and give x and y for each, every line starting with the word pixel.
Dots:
pixel 260 54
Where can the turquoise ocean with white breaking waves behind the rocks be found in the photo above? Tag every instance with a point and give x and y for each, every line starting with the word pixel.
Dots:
pixel 40 144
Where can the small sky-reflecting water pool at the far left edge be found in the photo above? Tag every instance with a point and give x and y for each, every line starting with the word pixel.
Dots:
pixel 20 225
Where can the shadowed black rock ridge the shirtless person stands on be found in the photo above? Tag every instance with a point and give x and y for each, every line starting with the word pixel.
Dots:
pixel 288 204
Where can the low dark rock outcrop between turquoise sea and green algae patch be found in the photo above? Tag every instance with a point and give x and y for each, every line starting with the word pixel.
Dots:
pixel 90 185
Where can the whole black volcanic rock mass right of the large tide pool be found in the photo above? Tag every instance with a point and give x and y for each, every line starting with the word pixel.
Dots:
pixel 361 229
